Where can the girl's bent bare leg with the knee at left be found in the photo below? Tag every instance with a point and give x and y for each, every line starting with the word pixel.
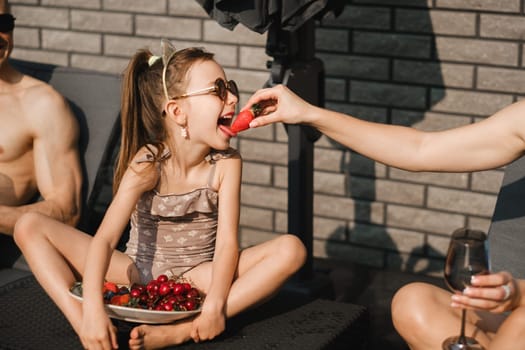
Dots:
pixel 56 254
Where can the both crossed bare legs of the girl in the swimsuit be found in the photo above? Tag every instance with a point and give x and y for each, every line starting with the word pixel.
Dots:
pixel 56 254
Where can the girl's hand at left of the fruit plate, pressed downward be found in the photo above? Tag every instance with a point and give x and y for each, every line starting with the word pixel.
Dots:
pixel 97 331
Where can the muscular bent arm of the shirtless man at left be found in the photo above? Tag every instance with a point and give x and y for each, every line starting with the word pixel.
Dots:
pixel 57 167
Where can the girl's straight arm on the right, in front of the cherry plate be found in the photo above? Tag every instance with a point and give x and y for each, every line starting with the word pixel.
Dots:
pixel 211 322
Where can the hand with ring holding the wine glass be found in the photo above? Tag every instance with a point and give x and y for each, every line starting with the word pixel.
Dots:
pixel 496 292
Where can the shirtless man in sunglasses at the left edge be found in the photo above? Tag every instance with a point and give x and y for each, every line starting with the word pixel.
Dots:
pixel 38 147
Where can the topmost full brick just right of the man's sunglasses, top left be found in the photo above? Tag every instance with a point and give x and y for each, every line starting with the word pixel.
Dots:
pixel 41 17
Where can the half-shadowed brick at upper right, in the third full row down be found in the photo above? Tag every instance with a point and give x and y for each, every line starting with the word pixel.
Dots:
pixel 433 73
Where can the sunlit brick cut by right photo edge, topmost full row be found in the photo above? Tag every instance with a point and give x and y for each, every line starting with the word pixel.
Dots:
pixel 505 27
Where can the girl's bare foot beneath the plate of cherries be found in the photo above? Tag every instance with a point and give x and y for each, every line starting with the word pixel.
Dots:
pixel 145 337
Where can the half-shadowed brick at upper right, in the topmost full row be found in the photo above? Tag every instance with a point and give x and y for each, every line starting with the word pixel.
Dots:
pixel 436 22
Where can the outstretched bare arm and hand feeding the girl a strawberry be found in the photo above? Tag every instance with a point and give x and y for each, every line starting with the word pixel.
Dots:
pixel 488 144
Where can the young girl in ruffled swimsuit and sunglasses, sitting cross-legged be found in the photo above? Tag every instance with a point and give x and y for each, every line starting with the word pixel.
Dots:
pixel 175 168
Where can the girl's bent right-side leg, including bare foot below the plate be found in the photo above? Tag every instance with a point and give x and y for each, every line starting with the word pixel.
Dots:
pixel 261 271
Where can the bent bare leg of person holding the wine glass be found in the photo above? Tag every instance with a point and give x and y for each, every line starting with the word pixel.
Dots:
pixel 422 315
